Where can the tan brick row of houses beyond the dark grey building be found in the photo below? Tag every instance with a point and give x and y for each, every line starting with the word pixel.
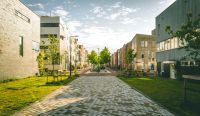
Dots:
pixel 144 47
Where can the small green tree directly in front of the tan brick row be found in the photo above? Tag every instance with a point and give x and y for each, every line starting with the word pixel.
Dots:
pixel 130 55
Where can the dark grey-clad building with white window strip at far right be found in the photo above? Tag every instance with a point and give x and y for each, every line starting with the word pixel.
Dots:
pixel 168 52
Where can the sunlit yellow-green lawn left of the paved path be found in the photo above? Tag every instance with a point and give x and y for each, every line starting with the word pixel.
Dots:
pixel 17 94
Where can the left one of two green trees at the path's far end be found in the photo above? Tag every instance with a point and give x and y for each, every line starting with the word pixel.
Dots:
pixel 93 58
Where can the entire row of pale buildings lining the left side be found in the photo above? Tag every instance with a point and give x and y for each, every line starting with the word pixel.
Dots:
pixel 23 34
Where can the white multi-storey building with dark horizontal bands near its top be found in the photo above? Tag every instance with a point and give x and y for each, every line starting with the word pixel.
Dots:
pixel 54 25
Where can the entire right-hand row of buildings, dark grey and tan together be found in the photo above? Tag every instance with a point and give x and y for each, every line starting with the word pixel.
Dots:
pixel 160 52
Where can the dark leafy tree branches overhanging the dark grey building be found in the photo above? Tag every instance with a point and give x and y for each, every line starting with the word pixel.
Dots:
pixel 189 34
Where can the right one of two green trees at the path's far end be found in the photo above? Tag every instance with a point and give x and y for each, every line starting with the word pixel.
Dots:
pixel 105 56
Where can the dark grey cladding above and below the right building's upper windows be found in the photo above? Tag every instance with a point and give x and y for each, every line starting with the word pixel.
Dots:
pixel 174 16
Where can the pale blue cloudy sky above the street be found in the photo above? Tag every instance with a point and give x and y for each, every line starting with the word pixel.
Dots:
pixel 100 23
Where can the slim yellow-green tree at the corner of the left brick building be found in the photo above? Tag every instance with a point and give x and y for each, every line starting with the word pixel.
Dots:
pixel 40 60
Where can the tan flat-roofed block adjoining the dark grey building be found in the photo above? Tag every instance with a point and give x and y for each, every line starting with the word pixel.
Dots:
pixel 145 48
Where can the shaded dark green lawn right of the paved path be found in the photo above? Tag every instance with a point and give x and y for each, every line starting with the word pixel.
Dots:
pixel 169 93
